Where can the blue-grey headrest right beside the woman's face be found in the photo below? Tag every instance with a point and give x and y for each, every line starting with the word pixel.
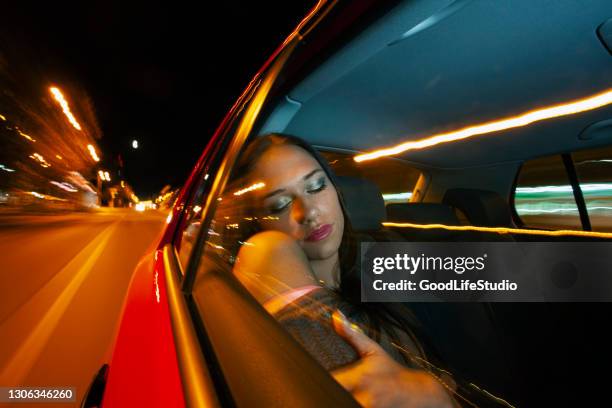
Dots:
pixel 363 202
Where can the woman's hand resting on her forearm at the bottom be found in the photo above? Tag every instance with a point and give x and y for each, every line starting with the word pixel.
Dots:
pixel 376 380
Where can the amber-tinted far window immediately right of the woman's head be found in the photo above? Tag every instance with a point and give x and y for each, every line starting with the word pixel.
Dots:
pixel 395 178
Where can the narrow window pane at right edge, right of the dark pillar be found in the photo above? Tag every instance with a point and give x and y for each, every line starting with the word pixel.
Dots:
pixel 594 170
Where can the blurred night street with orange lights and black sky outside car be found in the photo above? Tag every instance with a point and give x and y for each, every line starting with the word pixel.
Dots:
pixel 104 109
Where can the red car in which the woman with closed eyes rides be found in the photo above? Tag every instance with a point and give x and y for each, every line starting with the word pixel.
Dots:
pixel 477 121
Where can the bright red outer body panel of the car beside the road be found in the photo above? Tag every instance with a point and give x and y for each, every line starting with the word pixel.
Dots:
pixel 144 369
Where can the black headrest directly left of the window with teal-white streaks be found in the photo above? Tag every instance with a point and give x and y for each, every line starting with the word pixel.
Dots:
pixel 481 207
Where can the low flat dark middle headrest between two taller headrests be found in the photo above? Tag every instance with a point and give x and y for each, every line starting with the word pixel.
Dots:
pixel 422 213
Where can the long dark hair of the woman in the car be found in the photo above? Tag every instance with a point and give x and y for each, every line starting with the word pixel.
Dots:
pixel 378 317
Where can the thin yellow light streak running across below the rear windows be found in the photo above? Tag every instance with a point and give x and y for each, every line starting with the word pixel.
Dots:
pixel 500 230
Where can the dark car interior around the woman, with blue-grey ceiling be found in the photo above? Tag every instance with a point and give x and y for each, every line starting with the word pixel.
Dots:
pixel 432 68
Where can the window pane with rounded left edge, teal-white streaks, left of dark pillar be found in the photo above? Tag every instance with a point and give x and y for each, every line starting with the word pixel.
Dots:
pixel 543 197
